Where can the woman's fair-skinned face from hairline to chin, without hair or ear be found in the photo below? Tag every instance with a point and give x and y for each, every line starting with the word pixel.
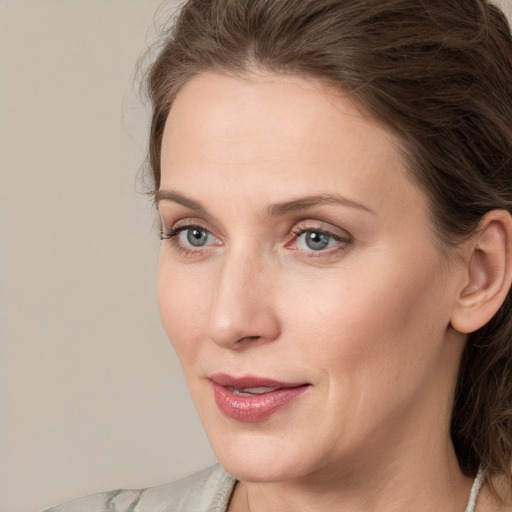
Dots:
pixel 300 280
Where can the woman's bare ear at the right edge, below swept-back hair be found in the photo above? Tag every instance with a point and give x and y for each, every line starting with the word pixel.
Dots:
pixel 488 272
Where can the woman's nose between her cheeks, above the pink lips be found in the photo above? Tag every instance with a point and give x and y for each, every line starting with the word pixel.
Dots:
pixel 242 310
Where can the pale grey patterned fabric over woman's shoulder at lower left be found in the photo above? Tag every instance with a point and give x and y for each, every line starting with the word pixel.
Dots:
pixel 206 491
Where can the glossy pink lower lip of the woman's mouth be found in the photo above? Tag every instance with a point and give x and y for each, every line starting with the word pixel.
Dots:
pixel 256 407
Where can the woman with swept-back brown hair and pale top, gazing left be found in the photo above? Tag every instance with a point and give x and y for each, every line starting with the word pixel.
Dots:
pixel 333 179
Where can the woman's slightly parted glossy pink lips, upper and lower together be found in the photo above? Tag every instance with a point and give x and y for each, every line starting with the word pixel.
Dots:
pixel 253 399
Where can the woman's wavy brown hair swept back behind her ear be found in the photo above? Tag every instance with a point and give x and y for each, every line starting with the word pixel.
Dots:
pixel 438 73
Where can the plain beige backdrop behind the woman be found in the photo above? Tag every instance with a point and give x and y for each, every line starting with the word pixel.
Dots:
pixel 91 394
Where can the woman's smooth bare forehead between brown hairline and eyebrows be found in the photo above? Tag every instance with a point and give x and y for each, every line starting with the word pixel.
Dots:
pixel 267 135
